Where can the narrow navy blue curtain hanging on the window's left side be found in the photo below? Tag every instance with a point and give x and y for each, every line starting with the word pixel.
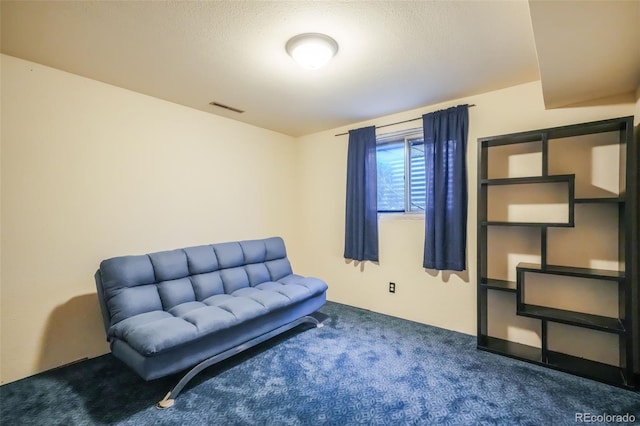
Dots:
pixel 361 224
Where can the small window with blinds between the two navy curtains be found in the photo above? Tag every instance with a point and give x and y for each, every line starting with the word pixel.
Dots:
pixel 401 176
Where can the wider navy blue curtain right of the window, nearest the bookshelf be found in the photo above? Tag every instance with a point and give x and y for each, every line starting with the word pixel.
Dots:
pixel 445 143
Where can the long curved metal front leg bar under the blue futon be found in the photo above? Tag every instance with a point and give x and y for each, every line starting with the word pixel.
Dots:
pixel 171 396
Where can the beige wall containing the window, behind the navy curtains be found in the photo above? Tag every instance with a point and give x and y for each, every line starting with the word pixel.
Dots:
pixel 445 299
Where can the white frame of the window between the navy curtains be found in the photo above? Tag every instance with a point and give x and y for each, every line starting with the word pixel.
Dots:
pixel 404 137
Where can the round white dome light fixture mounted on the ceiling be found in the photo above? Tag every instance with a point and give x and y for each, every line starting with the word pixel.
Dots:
pixel 312 50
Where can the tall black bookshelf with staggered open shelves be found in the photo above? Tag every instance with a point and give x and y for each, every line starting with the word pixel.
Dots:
pixel 625 325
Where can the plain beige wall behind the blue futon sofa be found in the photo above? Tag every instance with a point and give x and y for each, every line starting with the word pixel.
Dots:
pixel 91 171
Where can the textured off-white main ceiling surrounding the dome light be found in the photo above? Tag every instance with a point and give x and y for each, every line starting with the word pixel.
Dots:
pixel 393 55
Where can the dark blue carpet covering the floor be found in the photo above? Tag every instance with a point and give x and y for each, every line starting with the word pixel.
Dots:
pixel 361 368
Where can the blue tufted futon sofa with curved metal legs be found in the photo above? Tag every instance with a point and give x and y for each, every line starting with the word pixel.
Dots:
pixel 165 312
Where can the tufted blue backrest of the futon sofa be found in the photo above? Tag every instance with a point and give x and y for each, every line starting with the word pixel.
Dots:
pixel 132 285
